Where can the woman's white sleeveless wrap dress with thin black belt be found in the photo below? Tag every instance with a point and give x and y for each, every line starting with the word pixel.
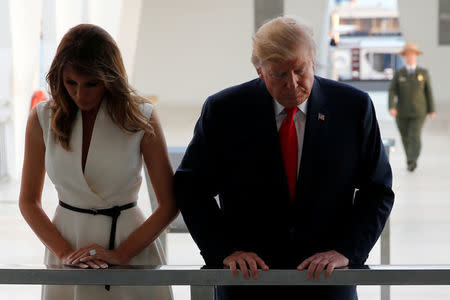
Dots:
pixel 112 177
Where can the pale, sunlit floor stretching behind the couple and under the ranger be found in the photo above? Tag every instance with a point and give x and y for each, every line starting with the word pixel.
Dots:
pixel 420 220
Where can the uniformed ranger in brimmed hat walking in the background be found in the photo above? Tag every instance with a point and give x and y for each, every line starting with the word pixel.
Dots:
pixel 410 101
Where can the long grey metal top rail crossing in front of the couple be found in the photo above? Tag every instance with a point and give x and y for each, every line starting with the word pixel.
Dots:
pixel 194 275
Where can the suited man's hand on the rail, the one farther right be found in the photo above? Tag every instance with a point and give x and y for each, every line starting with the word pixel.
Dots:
pixel 319 261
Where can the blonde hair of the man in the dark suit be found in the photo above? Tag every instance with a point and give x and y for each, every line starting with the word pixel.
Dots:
pixel 279 40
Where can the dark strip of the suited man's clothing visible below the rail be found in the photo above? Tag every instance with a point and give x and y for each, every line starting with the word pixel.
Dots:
pixel 286 292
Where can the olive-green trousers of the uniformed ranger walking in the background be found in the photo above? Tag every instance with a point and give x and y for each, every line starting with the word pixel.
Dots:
pixel 410 130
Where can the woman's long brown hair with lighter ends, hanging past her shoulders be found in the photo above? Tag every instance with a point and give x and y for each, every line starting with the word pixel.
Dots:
pixel 90 50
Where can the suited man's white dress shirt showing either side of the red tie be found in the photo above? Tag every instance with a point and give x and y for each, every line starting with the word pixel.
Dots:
pixel 299 121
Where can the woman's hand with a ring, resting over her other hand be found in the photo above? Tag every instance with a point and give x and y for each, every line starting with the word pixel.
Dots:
pixel 95 252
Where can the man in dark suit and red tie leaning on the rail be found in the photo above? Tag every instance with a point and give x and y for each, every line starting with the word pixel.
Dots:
pixel 299 167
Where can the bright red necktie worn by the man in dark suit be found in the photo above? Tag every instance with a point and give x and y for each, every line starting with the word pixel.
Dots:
pixel 289 148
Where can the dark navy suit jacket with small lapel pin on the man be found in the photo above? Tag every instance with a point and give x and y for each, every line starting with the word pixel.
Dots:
pixel 343 195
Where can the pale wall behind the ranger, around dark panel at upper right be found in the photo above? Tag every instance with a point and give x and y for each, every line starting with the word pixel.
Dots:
pixel 419 24
